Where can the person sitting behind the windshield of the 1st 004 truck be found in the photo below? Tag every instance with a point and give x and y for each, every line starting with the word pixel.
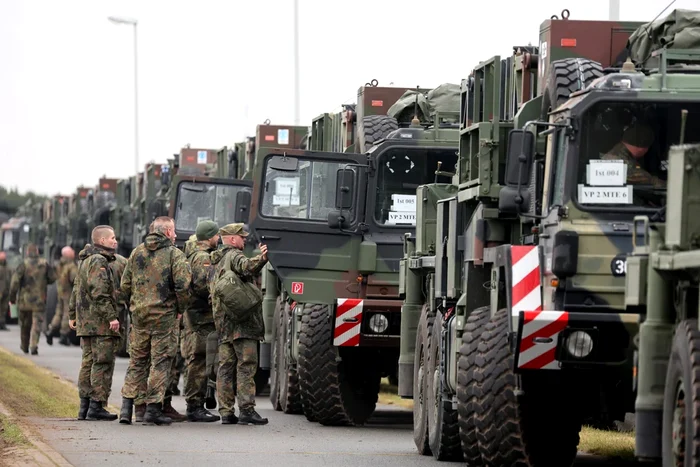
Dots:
pixel 636 141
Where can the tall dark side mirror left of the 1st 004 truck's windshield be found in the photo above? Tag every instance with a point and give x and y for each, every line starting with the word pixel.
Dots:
pixel 515 196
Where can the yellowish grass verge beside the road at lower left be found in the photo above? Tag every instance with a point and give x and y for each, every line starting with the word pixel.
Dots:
pixel 29 390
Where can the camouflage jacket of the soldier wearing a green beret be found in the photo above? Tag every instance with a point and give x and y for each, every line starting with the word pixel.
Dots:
pixel 198 255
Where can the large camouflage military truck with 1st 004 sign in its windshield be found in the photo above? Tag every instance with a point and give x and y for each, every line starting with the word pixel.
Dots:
pixel 516 274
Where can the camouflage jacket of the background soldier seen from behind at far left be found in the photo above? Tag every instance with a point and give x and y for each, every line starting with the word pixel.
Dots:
pixel 29 282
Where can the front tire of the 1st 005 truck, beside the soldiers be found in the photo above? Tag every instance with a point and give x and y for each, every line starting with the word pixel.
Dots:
pixel 341 386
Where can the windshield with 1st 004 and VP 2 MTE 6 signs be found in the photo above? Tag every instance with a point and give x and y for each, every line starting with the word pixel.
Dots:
pixel 623 158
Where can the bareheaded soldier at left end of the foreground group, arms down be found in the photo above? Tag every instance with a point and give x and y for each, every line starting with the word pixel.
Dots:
pixel 94 315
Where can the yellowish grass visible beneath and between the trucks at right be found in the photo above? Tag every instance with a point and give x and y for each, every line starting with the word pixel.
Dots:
pixel 612 444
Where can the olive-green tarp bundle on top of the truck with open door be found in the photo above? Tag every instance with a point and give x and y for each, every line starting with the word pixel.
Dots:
pixel 444 98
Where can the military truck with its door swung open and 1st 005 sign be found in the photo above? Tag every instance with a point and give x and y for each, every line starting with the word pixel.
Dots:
pixel 333 218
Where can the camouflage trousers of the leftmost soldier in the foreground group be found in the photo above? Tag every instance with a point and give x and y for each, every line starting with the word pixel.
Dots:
pixel 97 367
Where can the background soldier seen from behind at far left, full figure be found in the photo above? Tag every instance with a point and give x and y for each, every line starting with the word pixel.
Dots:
pixel 28 290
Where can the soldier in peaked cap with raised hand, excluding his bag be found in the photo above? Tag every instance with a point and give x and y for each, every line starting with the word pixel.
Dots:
pixel 238 342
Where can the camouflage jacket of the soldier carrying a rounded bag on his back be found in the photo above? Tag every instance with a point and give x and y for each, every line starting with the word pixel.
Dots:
pixel 247 269
